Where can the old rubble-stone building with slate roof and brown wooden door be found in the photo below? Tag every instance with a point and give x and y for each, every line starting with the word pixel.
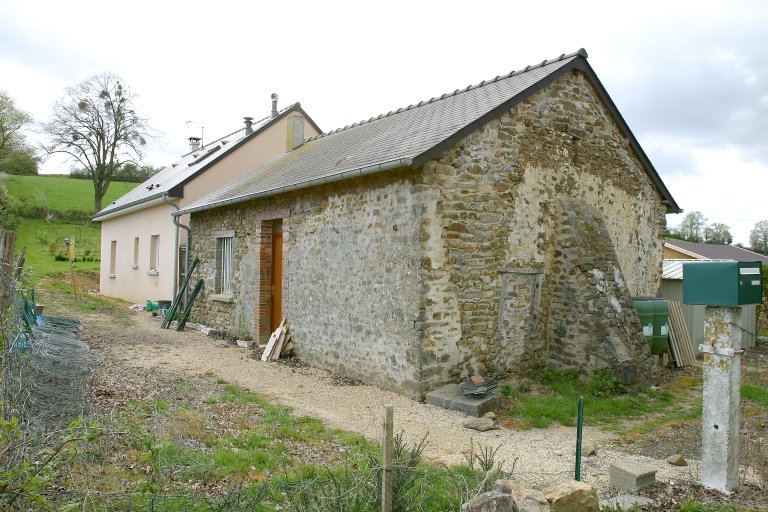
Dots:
pixel 496 229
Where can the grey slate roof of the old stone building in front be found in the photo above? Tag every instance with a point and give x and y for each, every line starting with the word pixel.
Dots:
pixel 409 137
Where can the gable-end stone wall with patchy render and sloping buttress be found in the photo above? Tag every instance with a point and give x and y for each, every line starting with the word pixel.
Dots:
pixel 492 240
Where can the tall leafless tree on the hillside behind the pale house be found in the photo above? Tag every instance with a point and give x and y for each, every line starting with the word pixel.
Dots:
pixel 96 124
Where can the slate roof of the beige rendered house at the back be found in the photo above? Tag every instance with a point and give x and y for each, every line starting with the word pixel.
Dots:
pixel 189 166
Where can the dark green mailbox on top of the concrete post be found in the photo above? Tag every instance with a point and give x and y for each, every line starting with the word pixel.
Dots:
pixel 722 283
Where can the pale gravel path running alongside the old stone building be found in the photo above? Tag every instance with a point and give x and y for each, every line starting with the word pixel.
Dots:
pixel 541 456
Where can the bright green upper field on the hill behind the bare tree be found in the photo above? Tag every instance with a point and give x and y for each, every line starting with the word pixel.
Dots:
pixel 60 193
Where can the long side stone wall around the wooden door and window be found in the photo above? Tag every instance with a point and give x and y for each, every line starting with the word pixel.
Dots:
pixel 351 275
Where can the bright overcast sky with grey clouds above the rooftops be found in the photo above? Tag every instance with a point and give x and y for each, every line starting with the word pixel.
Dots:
pixel 690 78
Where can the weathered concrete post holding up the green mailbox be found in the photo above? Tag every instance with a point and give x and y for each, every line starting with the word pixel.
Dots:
pixel 722 383
